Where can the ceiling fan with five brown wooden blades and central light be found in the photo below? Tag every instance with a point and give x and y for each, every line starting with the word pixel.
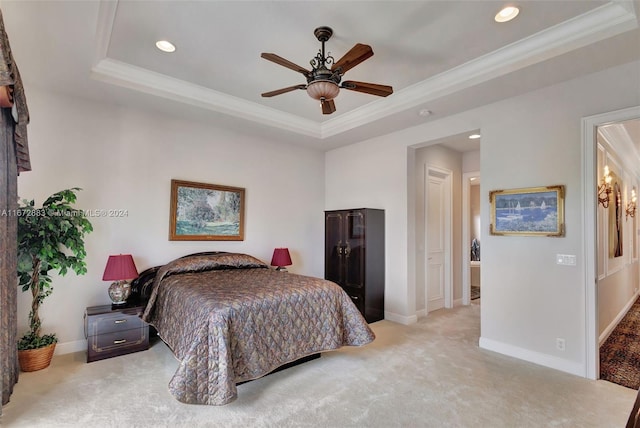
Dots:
pixel 324 78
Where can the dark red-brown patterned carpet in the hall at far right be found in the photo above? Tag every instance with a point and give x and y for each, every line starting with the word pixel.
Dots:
pixel 620 353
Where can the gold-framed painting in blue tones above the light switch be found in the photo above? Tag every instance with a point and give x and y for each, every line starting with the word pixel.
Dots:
pixel 534 211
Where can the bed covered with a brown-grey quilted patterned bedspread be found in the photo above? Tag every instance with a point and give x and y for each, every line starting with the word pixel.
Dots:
pixel 229 319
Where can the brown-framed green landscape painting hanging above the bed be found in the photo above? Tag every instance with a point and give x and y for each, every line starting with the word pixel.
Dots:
pixel 206 212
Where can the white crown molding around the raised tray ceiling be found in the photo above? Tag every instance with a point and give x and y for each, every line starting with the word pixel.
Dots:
pixel 600 23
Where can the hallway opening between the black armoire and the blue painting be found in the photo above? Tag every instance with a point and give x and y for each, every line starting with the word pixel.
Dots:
pixel 434 162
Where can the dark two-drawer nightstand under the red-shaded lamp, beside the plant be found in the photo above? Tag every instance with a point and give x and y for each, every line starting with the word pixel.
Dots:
pixel 114 330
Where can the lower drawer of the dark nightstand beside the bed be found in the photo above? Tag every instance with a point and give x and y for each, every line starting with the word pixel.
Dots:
pixel 118 343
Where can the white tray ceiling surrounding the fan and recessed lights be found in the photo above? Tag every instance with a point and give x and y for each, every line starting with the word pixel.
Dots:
pixel 442 56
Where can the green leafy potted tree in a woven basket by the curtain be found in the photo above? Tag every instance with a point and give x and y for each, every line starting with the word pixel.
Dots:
pixel 50 238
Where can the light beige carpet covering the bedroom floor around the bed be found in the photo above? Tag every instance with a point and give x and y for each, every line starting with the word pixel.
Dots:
pixel 431 374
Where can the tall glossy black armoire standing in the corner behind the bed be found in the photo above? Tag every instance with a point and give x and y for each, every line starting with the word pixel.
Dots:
pixel 354 257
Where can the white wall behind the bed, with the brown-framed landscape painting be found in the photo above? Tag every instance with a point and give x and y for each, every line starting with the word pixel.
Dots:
pixel 125 159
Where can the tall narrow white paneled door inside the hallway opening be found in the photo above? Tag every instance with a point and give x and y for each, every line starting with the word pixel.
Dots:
pixel 437 239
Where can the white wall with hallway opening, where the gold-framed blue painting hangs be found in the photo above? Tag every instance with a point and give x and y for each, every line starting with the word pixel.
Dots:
pixel 531 140
